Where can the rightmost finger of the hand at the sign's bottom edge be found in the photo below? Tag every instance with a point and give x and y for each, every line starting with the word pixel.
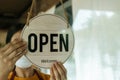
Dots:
pixel 61 70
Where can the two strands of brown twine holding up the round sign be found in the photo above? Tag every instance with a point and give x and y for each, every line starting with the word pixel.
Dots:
pixel 32 7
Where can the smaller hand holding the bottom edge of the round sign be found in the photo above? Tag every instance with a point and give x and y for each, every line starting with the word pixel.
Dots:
pixel 58 72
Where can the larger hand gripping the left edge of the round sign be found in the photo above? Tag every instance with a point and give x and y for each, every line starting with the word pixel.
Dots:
pixel 9 55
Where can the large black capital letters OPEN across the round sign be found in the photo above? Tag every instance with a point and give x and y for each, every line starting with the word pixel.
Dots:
pixel 41 40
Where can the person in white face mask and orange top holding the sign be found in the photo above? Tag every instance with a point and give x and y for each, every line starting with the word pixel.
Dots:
pixel 15 66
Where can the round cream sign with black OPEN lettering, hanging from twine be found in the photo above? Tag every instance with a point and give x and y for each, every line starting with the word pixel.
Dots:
pixel 49 40
